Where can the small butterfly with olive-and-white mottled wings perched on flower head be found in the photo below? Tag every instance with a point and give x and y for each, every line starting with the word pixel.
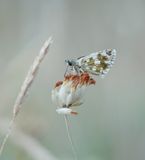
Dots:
pixel 97 63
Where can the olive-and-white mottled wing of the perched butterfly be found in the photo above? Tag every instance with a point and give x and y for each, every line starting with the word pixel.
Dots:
pixel 98 63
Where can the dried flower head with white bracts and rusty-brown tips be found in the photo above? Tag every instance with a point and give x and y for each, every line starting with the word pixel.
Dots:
pixel 68 93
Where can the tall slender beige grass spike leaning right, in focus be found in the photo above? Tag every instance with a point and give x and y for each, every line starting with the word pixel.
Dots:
pixel 25 87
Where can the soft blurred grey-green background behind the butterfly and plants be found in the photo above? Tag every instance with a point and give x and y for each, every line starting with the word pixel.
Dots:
pixel 111 122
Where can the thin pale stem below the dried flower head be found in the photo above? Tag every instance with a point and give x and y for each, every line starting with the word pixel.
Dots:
pixel 70 136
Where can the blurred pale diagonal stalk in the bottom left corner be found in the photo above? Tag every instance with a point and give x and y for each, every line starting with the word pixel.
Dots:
pixel 29 144
